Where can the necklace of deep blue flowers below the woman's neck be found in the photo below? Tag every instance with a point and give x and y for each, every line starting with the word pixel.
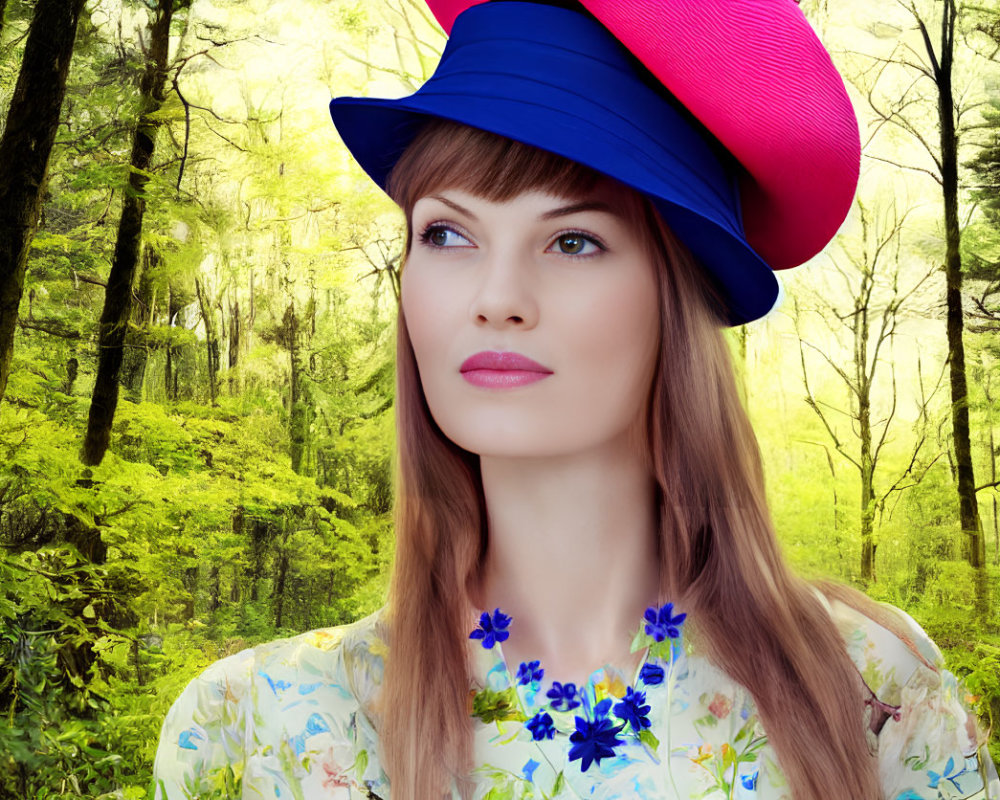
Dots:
pixel 605 721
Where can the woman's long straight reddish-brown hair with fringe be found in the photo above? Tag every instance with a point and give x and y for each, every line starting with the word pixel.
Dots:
pixel 756 621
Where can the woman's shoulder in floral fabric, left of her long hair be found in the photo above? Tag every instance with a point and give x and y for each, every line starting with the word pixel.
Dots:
pixel 289 701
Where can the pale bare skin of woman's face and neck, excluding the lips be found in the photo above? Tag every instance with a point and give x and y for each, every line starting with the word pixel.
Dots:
pixel 572 519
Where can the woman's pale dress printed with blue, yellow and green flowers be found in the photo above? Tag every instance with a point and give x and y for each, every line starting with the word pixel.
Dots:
pixel 289 719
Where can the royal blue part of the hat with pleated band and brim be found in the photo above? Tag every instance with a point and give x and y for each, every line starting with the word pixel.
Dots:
pixel 558 80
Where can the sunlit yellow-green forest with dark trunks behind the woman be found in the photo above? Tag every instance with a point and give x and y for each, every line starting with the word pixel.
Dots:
pixel 197 299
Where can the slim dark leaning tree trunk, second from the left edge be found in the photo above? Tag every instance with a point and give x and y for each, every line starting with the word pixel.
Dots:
pixel 114 318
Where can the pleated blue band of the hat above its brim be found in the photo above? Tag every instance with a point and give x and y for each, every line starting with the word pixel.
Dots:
pixel 588 75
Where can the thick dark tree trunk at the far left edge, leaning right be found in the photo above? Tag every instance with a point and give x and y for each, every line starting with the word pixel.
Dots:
pixel 30 132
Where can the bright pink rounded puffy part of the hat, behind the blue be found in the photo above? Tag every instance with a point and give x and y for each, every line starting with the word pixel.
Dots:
pixel 757 76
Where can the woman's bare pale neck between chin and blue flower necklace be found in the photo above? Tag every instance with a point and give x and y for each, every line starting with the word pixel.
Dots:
pixel 572 557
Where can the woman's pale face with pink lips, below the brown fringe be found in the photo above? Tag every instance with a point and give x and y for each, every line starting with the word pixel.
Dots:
pixel 563 289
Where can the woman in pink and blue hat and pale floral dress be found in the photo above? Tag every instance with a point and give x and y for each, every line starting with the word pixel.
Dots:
pixel 587 598
